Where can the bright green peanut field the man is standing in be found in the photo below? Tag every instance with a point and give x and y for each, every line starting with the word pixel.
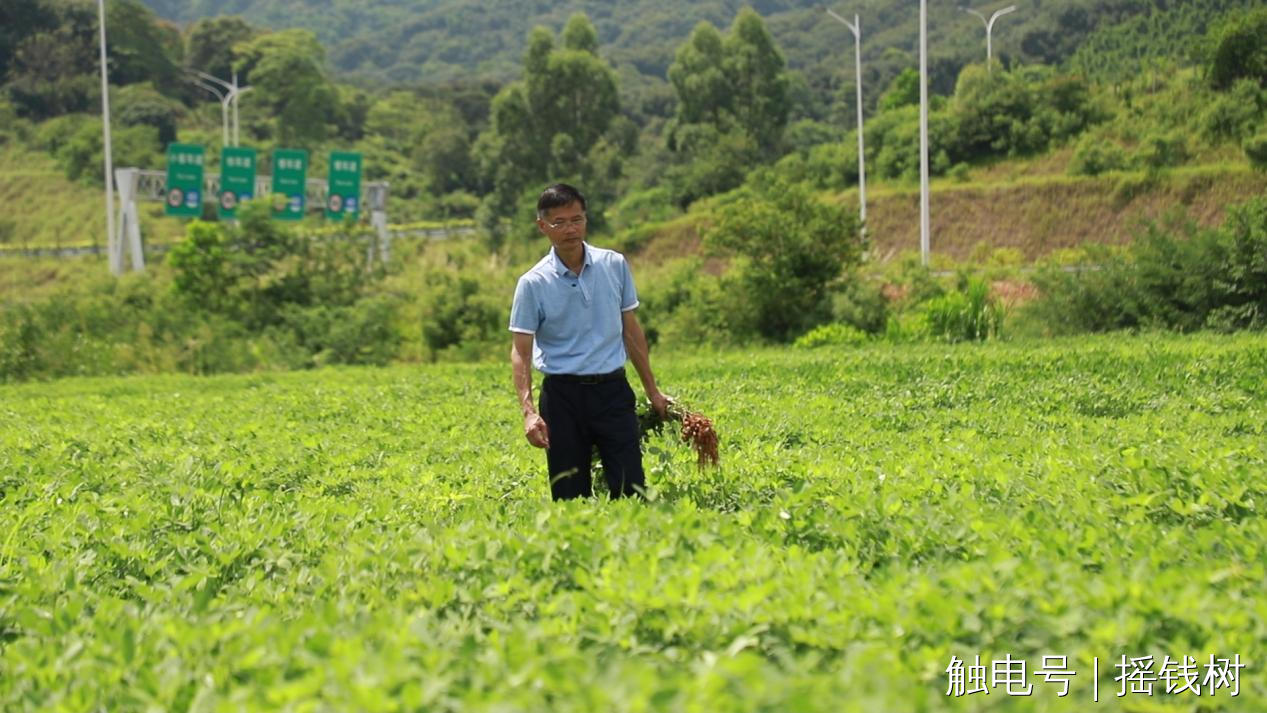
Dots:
pixel 381 540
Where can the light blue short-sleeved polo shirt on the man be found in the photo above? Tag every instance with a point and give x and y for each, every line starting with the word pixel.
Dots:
pixel 576 320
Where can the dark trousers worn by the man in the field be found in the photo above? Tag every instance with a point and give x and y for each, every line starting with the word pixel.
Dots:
pixel 583 415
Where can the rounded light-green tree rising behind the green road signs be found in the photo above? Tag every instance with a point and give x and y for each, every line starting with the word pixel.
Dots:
pixel 288 72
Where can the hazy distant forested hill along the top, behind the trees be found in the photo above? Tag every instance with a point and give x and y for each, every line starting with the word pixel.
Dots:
pixel 438 41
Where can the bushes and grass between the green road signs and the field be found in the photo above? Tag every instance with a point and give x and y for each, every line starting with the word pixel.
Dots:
pixel 257 296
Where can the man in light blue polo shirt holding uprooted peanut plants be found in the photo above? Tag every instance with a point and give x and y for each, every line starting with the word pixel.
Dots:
pixel 573 317
